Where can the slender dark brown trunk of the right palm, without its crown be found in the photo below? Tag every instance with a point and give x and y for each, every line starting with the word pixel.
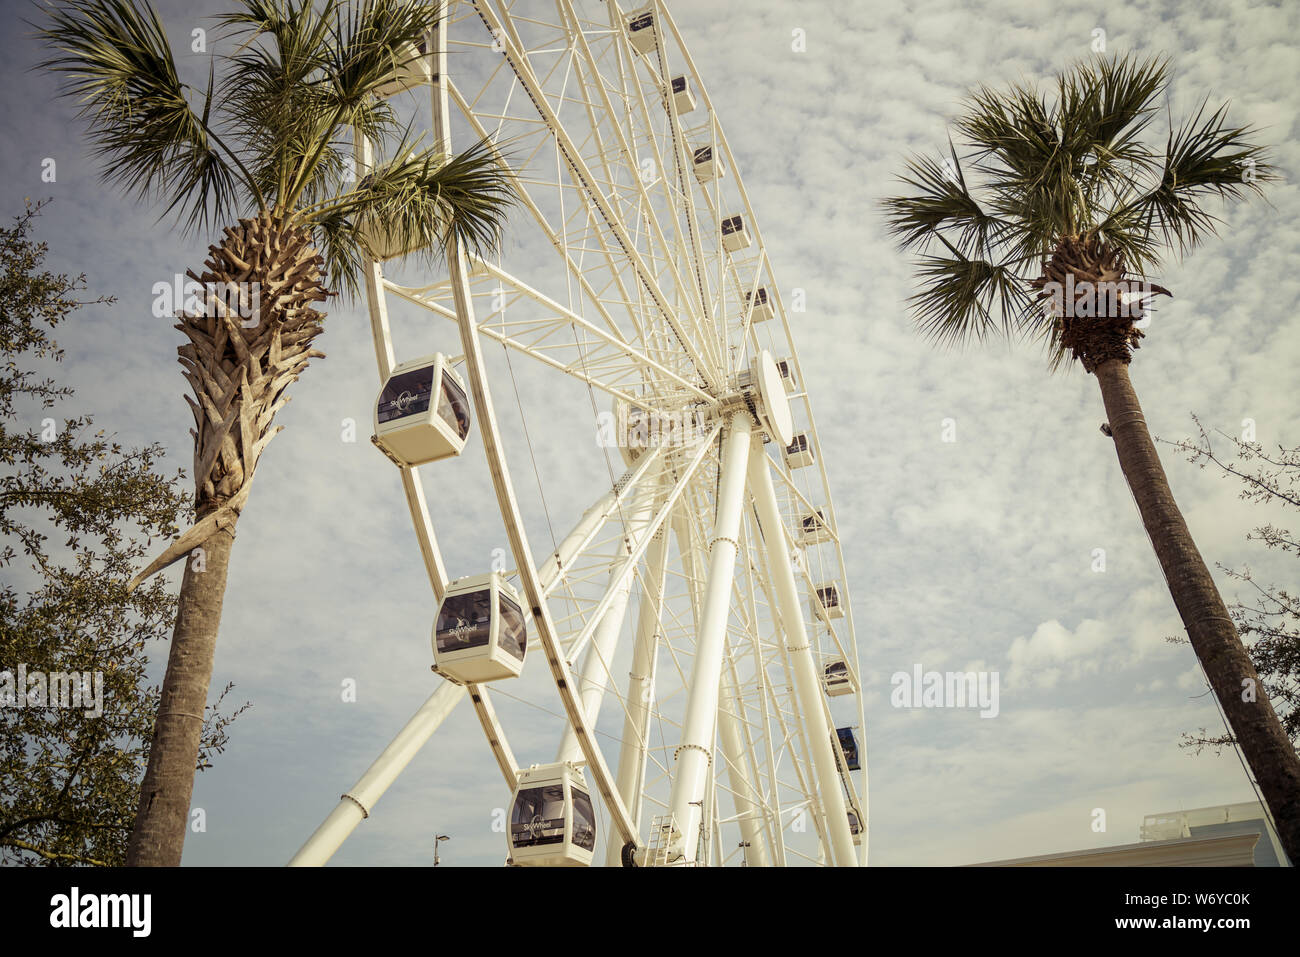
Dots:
pixel 1214 636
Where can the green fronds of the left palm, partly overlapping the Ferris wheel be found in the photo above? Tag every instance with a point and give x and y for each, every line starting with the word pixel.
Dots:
pixel 272 129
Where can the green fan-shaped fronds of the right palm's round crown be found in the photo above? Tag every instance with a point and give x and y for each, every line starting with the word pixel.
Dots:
pixel 1068 176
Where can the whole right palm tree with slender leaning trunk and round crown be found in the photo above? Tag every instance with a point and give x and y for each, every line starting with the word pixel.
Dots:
pixel 1050 227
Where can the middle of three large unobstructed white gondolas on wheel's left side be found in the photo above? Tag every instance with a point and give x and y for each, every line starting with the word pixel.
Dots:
pixel 480 634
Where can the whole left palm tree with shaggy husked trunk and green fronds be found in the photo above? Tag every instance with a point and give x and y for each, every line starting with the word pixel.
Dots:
pixel 267 142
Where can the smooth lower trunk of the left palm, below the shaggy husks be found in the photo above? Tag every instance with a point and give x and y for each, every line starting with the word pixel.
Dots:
pixel 164 811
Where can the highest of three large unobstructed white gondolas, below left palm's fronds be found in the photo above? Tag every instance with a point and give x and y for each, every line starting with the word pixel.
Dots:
pixel 423 413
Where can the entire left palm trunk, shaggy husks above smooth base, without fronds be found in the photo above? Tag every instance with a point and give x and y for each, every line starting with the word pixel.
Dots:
pixel 240 369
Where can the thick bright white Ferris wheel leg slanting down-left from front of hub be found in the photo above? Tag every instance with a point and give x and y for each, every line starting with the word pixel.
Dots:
pixel 697 733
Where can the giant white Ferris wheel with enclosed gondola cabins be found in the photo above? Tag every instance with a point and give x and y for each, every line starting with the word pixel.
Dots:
pixel 694 631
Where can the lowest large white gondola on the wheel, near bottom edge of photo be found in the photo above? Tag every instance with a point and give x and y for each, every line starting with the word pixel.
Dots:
pixel 552 819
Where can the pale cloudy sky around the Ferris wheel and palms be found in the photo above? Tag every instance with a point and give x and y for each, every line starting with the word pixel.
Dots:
pixel 976 555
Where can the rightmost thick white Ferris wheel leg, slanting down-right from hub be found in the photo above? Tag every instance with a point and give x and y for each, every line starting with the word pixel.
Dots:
pixel 808 683
